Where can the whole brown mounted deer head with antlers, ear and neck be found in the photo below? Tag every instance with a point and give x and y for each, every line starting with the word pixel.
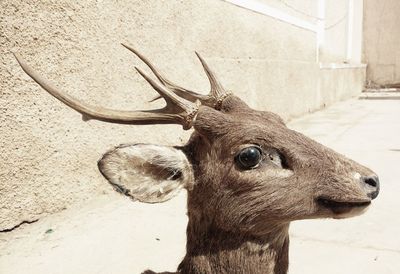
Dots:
pixel 247 175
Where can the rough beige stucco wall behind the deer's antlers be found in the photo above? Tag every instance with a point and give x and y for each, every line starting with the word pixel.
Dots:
pixel 48 154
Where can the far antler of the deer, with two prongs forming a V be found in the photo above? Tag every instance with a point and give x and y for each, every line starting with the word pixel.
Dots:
pixel 215 97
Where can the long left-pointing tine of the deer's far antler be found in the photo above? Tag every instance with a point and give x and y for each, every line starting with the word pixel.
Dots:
pixel 180 91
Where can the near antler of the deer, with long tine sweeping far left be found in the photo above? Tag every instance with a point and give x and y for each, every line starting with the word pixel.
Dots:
pixel 177 111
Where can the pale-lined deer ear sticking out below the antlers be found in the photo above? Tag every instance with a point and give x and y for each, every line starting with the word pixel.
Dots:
pixel 148 173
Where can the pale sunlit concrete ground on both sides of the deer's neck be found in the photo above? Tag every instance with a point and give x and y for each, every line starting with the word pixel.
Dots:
pixel 111 234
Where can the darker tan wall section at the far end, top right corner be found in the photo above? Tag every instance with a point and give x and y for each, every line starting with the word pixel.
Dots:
pixel 382 41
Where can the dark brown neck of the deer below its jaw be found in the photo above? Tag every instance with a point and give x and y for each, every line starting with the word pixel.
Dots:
pixel 215 251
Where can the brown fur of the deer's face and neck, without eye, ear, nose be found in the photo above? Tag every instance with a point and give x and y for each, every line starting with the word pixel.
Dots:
pixel 238 220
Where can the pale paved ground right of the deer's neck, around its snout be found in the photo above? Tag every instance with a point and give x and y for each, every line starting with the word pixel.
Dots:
pixel 367 131
